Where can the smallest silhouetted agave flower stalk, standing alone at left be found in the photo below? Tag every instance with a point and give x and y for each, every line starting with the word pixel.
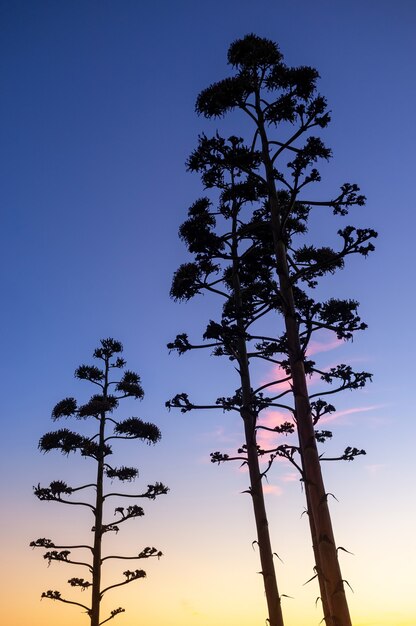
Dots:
pixel 99 409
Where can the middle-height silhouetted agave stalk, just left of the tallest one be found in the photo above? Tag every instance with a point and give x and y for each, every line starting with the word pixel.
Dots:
pixel 241 276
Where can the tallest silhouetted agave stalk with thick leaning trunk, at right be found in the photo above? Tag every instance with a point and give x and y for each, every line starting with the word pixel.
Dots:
pixel 283 106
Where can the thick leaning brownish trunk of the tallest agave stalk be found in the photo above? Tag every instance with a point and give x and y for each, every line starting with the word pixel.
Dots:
pixel 319 516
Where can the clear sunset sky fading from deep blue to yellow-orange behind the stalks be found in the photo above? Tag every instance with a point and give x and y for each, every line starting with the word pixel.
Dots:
pixel 96 122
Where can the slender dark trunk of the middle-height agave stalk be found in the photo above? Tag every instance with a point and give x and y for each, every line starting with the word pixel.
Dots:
pixel 256 487
